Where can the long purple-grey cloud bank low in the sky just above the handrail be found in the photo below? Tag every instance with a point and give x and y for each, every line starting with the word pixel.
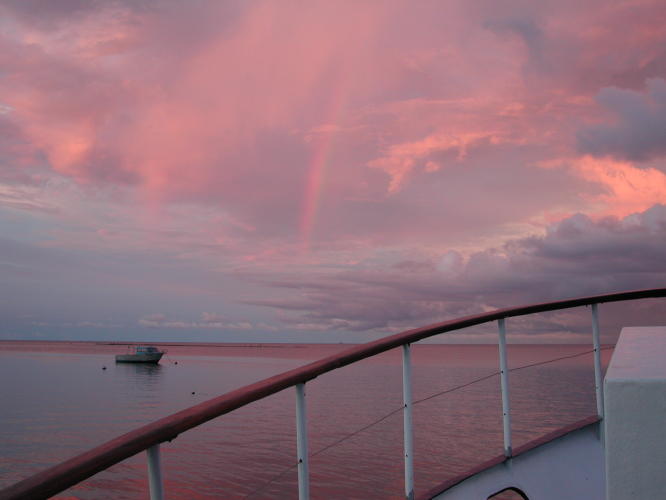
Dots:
pixel 576 257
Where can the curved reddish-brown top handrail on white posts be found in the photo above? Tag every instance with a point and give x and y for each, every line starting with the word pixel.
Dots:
pixel 66 474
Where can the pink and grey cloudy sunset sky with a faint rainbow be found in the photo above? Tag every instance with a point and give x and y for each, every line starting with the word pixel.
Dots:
pixel 327 171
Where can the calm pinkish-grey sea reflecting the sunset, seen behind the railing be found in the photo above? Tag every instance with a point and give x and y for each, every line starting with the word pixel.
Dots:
pixel 57 401
